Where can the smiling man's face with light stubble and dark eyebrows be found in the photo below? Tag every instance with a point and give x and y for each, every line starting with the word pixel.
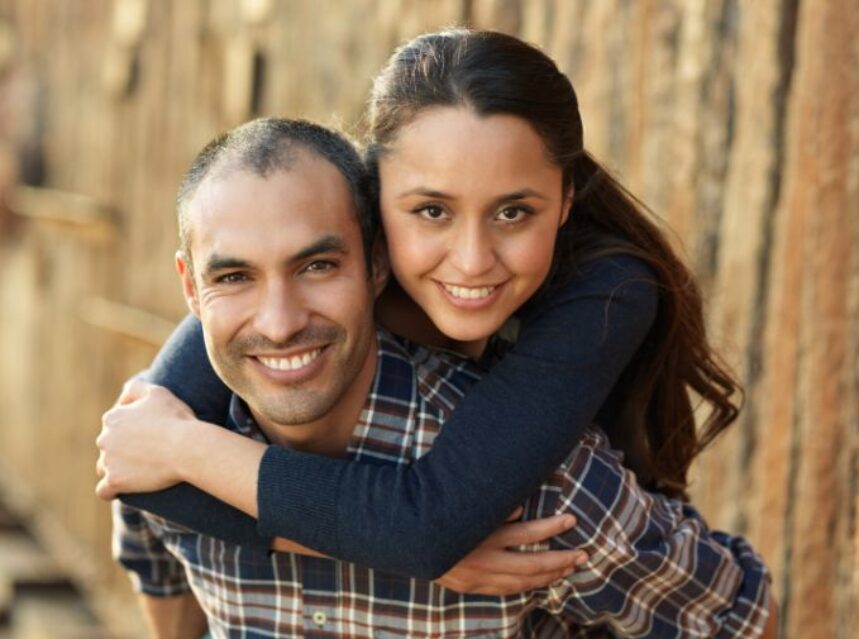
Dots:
pixel 280 284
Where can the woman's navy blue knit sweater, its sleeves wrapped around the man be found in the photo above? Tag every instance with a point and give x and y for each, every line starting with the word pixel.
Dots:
pixel 511 431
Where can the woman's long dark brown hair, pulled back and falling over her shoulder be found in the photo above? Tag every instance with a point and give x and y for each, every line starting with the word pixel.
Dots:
pixel 494 73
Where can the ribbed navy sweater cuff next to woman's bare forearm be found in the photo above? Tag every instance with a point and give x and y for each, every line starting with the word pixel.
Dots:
pixel 297 498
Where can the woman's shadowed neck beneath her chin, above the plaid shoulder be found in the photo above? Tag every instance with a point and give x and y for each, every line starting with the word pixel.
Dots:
pixel 399 313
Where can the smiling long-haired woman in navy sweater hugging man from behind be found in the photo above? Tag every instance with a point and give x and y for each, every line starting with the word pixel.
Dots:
pixel 611 324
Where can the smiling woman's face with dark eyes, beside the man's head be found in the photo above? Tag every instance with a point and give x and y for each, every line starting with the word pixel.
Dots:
pixel 471 206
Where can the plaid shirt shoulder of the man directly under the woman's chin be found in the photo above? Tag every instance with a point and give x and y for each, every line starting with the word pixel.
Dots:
pixel 440 378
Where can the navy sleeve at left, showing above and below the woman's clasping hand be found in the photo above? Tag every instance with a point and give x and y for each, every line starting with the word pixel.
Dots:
pixel 183 367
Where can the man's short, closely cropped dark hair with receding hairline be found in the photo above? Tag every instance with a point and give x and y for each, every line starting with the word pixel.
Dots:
pixel 266 145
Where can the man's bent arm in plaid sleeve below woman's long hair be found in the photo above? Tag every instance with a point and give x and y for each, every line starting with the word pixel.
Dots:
pixel 654 567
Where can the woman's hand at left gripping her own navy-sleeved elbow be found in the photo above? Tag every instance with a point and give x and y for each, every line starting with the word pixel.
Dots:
pixel 138 439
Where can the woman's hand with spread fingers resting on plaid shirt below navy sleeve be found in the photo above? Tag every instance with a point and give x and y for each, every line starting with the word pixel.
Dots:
pixel 494 569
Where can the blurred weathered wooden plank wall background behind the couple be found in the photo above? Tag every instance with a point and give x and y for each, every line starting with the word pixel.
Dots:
pixel 737 122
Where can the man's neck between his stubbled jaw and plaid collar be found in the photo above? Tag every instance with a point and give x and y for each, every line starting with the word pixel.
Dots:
pixel 330 435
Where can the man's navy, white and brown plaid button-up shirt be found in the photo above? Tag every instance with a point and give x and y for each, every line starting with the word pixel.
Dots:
pixel 654 569
